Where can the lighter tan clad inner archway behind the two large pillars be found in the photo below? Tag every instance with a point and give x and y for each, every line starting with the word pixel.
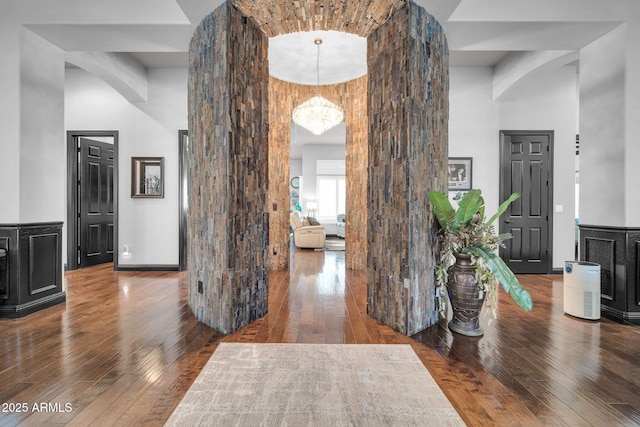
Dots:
pixel 351 96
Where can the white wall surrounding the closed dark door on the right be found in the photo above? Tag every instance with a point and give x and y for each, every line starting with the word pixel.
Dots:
pixel 542 102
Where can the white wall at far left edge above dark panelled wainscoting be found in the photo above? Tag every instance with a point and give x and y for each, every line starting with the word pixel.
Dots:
pixel 32 156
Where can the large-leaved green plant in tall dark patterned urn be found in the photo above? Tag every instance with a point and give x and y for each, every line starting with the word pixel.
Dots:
pixel 469 268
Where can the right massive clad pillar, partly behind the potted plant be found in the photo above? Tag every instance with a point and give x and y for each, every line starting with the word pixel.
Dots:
pixel 408 149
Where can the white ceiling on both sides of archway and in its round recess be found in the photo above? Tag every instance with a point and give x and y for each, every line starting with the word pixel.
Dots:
pixel 157 32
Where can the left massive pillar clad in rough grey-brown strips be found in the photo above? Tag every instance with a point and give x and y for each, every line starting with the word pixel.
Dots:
pixel 228 169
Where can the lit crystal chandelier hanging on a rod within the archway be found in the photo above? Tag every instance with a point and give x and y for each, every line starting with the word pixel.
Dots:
pixel 318 114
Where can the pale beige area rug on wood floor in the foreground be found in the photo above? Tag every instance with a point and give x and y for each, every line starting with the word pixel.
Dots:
pixel 314 385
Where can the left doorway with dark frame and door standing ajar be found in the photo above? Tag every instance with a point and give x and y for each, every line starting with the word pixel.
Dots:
pixel 92 198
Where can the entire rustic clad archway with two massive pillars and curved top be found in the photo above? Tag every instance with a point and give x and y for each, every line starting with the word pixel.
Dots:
pixel 239 172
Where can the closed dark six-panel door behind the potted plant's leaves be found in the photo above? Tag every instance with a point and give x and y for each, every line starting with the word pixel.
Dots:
pixel 526 168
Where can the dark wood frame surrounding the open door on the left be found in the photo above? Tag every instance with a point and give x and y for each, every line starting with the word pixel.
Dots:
pixel 72 195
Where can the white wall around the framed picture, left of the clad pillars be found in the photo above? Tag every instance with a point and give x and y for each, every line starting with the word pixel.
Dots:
pixel 149 227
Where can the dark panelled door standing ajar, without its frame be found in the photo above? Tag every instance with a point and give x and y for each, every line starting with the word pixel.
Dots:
pixel 95 190
